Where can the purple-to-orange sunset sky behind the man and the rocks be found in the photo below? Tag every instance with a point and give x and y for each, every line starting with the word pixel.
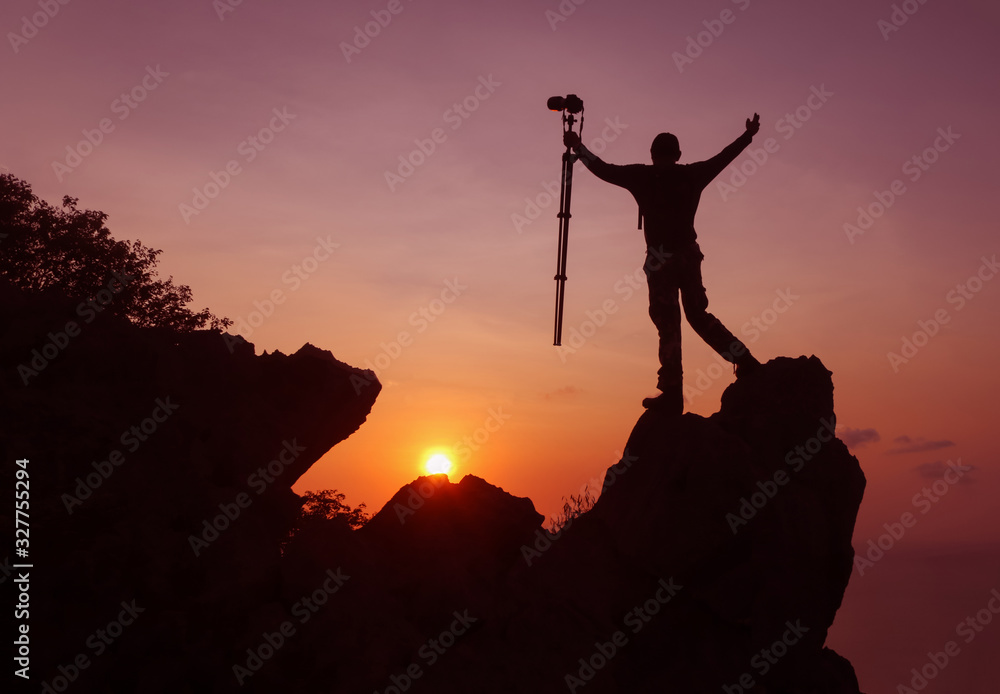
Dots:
pixel 471 80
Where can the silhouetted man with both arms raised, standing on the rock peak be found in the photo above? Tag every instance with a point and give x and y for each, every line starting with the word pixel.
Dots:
pixel 668 195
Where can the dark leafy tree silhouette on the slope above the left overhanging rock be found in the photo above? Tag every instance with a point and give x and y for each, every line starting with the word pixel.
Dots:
pixel 69 250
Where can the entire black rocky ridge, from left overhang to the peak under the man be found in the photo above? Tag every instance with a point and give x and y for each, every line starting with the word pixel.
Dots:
pixel 161 465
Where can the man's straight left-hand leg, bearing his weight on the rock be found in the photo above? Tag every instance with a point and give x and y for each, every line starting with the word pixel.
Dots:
pixel 664 309
